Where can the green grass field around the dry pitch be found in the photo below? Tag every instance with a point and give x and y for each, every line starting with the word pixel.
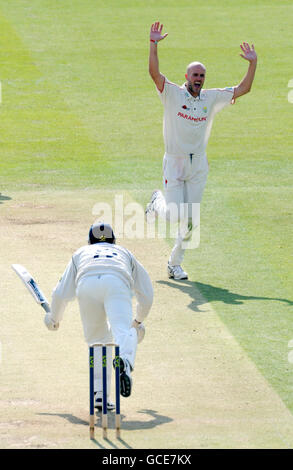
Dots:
pixel 80 112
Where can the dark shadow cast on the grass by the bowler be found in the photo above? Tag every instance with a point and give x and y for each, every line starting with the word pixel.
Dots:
pixel 209 293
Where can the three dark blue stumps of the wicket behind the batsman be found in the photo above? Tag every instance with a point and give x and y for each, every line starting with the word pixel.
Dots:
pixel 104 389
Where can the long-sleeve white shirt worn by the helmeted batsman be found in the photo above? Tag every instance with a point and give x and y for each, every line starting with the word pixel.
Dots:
pixel 103 258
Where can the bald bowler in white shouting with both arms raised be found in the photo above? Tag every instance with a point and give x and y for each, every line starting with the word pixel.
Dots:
pixel 189 111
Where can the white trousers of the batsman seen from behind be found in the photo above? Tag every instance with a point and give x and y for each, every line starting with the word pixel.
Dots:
pixel 105 303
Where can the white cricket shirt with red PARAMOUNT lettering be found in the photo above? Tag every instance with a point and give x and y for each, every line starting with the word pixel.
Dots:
pixel 188 120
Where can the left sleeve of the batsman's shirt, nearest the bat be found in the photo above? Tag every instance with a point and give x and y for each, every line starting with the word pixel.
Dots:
pixel 63 292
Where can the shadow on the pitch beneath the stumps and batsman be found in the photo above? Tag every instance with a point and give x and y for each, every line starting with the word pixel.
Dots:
pixel 156 420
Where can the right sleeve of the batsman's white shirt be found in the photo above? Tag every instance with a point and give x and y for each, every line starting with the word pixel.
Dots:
pixel 143 290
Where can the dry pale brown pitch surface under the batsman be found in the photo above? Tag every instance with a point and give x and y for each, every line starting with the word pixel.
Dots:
pixel 194 387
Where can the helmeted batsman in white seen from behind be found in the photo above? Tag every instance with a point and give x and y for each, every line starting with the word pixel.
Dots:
pixel 103 276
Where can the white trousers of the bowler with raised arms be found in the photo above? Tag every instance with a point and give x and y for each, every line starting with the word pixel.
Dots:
pixel 184 180
